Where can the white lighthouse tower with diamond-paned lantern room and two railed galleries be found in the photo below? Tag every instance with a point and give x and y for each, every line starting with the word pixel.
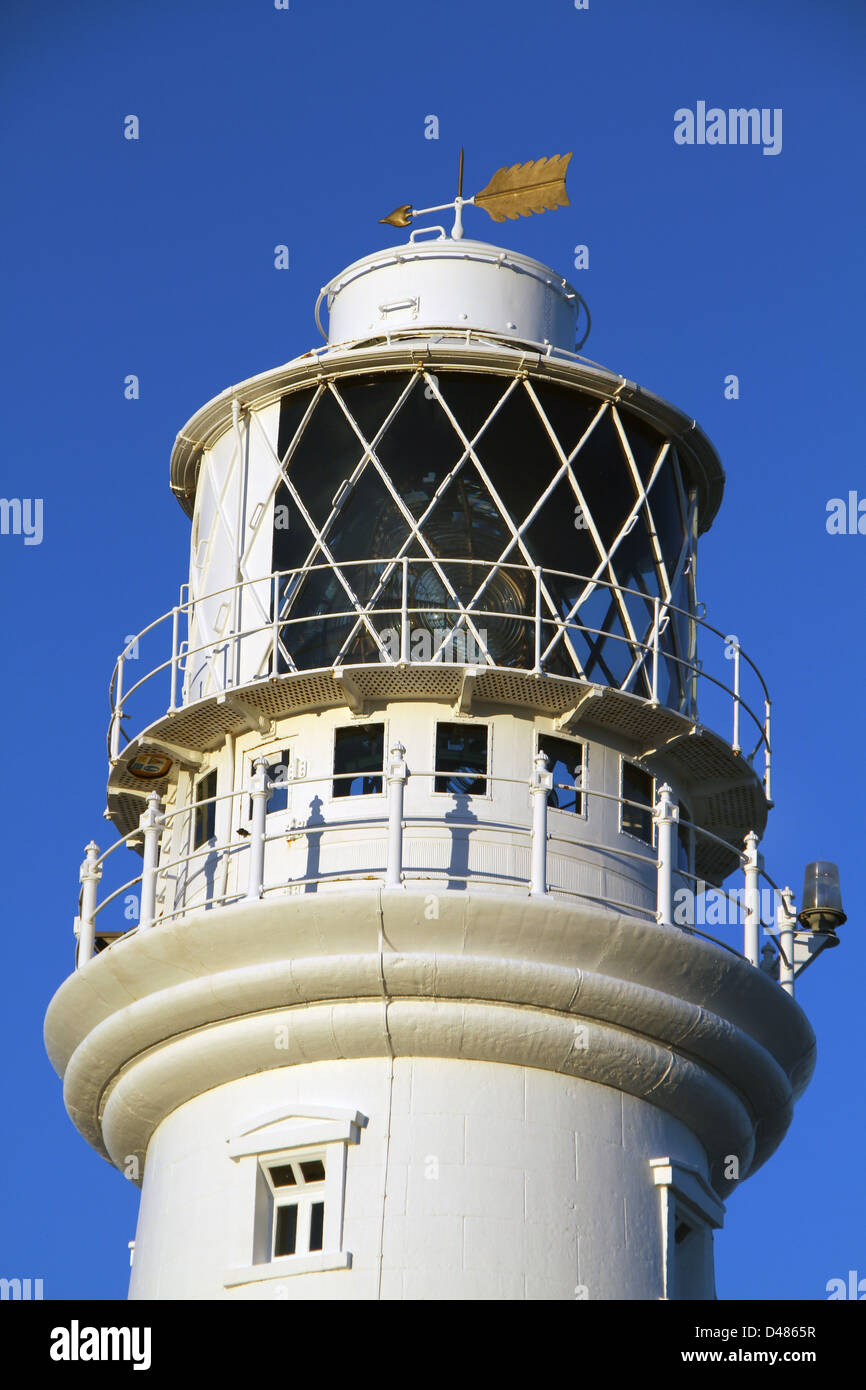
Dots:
pixel 433 771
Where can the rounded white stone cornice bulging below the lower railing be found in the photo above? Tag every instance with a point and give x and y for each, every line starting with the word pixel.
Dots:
pixel 168 1014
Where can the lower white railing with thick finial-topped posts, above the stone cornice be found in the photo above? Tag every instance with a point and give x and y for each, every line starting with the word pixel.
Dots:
pixel 664 850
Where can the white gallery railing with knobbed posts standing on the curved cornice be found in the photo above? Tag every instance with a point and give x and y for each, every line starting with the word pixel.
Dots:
pixel 668 862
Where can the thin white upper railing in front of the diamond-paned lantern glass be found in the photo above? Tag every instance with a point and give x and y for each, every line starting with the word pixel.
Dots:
pixel 216 664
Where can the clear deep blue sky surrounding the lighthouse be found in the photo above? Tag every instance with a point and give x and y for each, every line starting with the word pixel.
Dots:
pixel 156 258
